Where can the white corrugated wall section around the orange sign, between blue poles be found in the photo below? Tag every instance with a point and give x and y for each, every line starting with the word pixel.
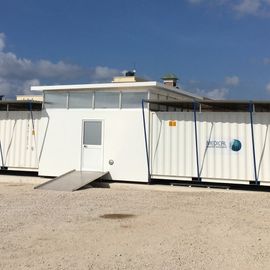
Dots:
pixel 169 155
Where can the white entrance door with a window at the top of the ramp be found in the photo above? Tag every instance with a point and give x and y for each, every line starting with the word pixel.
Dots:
pixel 92 145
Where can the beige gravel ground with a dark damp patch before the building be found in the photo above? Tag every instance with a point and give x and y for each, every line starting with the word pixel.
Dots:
pixel 133 228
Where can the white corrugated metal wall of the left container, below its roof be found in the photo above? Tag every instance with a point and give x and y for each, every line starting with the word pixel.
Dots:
pixel 18 140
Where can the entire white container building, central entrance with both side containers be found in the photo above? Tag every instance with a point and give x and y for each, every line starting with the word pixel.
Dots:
pixel 172 135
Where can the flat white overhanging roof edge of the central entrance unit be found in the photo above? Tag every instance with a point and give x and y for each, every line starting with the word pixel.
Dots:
pixel 108 86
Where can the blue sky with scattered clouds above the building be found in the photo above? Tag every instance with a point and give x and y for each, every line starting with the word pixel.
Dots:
pixel 218 48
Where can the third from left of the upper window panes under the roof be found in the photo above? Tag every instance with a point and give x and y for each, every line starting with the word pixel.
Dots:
pixel 107 99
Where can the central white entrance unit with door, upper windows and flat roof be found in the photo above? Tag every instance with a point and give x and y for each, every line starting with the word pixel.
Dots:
pixel 99 127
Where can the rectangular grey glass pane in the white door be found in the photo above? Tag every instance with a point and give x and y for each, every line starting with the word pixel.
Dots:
pixel 92 132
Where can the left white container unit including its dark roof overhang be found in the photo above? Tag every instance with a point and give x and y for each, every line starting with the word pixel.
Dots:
pixel 19 128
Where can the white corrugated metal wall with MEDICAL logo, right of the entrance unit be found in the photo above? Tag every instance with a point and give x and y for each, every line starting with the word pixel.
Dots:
pixel 220 135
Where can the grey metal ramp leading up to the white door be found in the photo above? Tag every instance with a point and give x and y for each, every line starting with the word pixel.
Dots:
pixel 71 181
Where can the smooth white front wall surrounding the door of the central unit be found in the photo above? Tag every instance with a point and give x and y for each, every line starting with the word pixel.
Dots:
pixel 123 142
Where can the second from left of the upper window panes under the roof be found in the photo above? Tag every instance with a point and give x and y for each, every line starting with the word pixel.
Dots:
pixel 80 100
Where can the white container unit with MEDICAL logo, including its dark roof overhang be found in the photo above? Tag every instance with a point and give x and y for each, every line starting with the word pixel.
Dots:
pixel 211 141
